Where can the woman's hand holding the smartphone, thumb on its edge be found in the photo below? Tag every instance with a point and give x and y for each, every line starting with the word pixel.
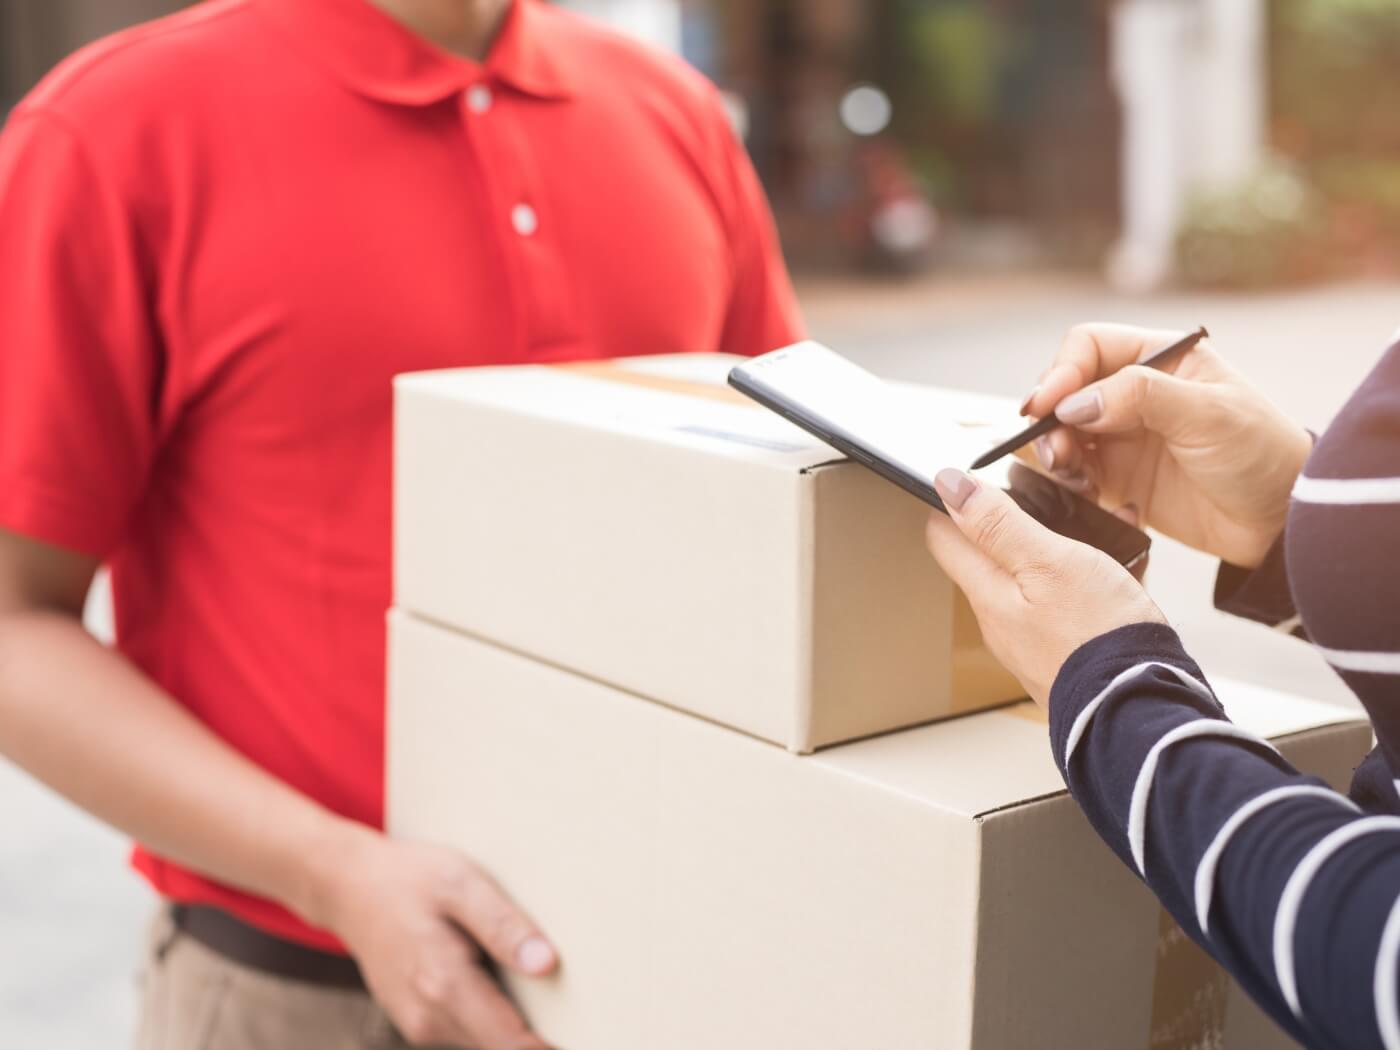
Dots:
pixel 1037 594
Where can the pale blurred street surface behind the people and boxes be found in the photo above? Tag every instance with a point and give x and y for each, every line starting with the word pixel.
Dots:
pixel 72 913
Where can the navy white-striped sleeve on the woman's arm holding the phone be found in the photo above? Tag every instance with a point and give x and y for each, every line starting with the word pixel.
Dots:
pixel 1284 881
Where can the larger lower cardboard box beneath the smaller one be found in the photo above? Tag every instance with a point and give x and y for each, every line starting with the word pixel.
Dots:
pixel 926 890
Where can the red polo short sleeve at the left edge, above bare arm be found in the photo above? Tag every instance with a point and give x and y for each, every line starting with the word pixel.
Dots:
pixel 79 360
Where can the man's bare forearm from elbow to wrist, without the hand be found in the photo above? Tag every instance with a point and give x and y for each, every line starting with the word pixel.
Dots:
pixel 79 717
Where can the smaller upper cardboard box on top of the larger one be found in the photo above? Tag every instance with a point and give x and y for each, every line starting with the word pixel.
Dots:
pixel 646 526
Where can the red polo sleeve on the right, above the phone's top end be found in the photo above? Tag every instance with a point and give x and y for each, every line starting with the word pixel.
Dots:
pixel 764 314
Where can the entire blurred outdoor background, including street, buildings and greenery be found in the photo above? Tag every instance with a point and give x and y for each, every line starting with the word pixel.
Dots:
pixel 957 183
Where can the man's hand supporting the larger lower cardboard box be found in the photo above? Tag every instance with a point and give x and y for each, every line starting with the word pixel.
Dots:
pixel 418 919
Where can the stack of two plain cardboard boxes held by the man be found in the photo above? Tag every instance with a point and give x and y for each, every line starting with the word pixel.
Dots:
pixel 628 608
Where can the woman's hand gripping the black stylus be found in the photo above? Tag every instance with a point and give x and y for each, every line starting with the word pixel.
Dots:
pixel 1203 456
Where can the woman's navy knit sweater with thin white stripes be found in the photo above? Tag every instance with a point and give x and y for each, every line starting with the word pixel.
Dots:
pixel 1294 888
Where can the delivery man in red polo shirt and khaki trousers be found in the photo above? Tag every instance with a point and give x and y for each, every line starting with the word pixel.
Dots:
pixel 220 236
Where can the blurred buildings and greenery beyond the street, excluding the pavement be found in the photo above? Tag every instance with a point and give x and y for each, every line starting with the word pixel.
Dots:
pixel 1150 141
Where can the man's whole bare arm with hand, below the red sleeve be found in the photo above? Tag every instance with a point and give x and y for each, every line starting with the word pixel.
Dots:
pixel 83 720
